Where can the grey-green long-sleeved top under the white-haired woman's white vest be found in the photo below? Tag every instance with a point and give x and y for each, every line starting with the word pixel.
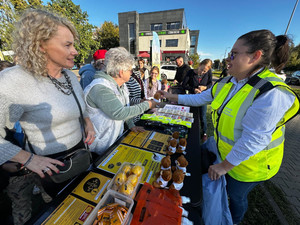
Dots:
pixel 105 99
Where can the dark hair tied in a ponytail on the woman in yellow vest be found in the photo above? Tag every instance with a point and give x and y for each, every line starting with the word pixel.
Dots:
pixel 275 49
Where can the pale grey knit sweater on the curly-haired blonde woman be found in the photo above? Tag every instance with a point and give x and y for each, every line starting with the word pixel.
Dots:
pixel 49 117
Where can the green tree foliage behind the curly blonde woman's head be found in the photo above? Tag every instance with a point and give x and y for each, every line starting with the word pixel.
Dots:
pixel 9 10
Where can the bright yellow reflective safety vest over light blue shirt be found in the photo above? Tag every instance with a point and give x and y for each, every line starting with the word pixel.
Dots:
pixel 228 125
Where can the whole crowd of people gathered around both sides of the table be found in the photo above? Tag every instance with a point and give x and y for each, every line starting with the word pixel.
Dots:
pixel 47 102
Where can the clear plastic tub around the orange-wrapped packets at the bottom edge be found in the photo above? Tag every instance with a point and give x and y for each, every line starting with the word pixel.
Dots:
pixel 112 197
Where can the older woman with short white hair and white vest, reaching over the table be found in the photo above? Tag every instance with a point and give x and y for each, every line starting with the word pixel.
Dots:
pixel 107 99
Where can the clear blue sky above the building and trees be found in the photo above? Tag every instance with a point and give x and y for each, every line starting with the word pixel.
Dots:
pixel 220 22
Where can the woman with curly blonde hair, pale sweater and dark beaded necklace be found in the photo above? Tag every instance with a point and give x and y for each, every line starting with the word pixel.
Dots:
pixel 38 93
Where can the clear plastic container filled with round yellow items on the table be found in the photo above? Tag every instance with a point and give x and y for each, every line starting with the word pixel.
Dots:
pixel 127 179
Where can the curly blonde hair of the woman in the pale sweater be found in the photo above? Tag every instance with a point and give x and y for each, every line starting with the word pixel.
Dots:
pixel 34 27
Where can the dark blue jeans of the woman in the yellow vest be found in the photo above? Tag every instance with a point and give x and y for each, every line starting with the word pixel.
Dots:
pixel 238 202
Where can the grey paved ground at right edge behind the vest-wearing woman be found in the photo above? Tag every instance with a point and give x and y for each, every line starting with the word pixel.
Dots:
pixel 288 177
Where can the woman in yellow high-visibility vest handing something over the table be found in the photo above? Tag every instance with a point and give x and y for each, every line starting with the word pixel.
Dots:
pixel 249 112
